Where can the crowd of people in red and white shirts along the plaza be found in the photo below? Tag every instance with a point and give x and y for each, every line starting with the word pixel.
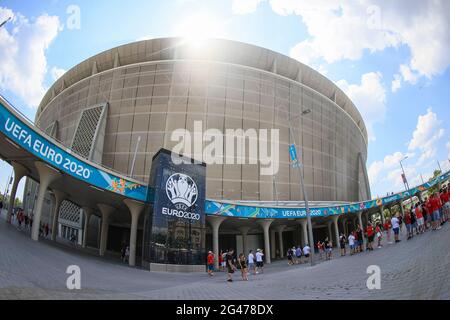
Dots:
pixel 419 218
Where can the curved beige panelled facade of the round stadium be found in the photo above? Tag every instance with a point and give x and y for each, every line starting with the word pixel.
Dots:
pixel 120 107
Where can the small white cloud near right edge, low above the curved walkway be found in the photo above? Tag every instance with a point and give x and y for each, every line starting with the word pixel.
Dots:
pixel 425 136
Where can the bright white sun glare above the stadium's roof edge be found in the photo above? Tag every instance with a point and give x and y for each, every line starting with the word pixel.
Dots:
pixel 199 27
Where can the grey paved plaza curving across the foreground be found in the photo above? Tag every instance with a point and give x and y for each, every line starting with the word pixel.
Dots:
pixel 414 269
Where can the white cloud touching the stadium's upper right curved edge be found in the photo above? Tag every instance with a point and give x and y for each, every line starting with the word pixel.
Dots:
pixel 369 97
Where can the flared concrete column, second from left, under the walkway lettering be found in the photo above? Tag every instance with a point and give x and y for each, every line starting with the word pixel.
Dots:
pixel 47 175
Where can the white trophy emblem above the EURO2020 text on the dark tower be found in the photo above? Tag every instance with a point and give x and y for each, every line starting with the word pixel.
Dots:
pixel 181 190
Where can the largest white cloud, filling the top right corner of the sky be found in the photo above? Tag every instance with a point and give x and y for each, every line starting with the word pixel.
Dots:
pixel 346 29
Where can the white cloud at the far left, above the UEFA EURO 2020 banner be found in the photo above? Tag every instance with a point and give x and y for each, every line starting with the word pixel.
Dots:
pixel 23 64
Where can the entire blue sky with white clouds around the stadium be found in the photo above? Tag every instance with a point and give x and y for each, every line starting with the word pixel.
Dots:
pixel 393 63
